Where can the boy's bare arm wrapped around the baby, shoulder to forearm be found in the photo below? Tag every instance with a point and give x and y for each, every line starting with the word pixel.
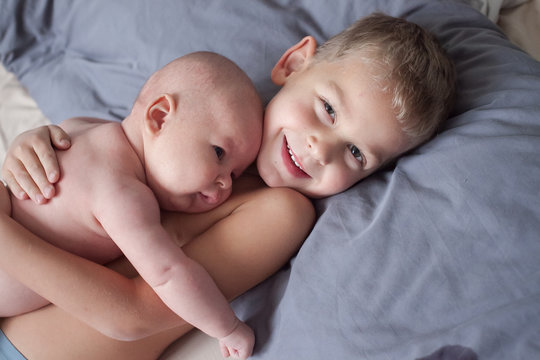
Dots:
pixel 237 256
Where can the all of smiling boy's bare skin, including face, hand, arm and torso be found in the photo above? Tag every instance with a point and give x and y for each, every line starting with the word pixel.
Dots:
pixel 305 115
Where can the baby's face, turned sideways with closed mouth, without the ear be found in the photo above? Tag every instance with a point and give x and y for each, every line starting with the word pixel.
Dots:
pixel 215 136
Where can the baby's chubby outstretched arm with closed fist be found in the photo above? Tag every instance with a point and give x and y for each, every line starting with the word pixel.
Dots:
pixel 129 213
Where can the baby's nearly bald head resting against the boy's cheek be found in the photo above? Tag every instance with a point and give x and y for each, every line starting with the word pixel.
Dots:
pixel 201 125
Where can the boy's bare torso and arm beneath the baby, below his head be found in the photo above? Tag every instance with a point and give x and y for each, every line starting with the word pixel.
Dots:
pixel 237 257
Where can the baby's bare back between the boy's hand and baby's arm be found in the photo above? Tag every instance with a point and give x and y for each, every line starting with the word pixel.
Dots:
pixel 99 150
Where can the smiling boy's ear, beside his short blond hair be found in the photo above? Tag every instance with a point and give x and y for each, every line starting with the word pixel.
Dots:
pixel 294 60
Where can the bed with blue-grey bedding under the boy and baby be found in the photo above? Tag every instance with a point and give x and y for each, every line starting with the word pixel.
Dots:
pixel 435 258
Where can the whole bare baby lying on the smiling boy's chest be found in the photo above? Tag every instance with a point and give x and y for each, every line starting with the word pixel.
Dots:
pixel 195 126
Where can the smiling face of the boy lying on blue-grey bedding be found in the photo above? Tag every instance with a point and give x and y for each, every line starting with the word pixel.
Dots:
pixel 328 127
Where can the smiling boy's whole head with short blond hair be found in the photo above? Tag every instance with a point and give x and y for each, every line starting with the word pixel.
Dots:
pixel 351 106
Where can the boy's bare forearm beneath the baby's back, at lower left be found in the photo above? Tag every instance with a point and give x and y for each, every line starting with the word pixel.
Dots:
pixel 116 306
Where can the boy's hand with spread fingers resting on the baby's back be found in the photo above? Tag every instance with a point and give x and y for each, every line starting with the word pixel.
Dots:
pixel 31 168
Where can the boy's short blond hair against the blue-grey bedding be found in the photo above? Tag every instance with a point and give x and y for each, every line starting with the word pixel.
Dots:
pixel 408 62
